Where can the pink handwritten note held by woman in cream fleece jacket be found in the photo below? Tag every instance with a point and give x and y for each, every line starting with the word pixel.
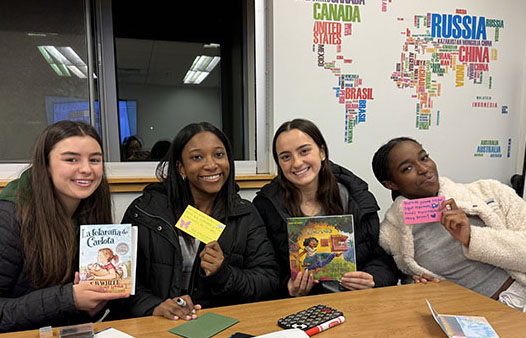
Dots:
pixel 422 210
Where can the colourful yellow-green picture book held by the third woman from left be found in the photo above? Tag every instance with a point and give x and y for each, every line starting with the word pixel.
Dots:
pixel 323 245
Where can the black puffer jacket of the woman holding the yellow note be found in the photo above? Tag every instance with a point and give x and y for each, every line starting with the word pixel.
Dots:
pixel 249 272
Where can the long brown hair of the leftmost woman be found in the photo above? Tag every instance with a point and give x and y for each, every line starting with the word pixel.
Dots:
pixel 47 233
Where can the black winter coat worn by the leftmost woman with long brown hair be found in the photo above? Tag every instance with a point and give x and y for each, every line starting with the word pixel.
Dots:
pixel 21 306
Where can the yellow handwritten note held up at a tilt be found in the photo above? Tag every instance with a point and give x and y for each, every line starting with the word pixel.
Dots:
pixel 199 225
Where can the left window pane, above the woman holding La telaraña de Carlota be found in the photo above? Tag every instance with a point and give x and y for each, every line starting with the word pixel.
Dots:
pixel 44 70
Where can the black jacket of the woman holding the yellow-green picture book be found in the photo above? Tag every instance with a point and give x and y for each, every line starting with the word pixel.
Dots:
pixel 371 258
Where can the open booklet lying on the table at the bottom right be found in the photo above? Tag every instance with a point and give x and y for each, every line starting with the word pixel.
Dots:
pixel 463 326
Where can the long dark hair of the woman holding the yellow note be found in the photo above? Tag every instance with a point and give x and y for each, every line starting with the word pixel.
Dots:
pixel 179 194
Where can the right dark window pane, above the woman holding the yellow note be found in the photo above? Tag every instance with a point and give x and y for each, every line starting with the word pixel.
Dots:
pixel 189 65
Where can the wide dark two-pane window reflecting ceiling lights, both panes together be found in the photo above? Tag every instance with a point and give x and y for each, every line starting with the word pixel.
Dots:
pixel 136 87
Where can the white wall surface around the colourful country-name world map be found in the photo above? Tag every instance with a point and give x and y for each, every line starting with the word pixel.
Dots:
pixel 302 89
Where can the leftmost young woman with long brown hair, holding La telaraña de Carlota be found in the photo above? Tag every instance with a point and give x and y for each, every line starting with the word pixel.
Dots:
pixel 39 217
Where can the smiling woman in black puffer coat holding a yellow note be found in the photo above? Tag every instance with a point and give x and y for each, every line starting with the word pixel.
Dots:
pixel 237 268
